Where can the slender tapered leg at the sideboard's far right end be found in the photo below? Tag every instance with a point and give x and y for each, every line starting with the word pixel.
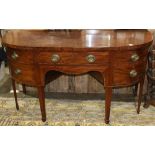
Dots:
pixel 140 95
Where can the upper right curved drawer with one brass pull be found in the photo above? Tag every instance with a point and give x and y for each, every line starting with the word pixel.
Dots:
pixel 130 56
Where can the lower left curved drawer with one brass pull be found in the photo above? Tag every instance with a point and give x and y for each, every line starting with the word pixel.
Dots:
pixel 23 73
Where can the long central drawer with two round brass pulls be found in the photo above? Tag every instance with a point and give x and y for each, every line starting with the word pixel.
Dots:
pixel 72 58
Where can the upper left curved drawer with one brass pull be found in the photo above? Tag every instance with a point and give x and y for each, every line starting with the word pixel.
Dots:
pixel 21 56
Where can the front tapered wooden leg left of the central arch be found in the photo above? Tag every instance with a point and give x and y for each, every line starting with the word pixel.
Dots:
pixel 41 95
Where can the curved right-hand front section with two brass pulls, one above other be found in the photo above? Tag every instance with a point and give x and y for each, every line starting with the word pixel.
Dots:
pixel 128 67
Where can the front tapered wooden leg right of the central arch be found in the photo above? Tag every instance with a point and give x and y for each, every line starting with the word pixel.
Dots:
pixel 108 95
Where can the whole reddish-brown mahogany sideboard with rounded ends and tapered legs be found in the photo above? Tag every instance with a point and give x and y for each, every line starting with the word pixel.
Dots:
pixel 116 58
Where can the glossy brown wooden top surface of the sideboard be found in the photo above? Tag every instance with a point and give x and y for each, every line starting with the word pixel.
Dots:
pixel 76 38
